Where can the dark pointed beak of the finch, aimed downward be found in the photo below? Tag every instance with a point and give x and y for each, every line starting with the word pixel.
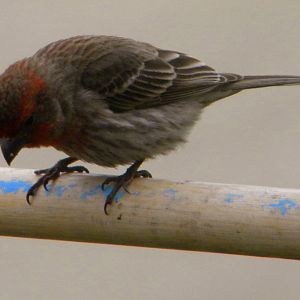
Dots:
pixel 11 146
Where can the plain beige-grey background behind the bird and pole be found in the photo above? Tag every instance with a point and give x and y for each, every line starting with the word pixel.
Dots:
pixel 251 138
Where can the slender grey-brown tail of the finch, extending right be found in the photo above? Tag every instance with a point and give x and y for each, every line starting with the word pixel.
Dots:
pixel 250 82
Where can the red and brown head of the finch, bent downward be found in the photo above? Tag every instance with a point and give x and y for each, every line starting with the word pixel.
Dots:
pixel 24 121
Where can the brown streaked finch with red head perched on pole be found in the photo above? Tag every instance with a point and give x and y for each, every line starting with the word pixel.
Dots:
pixel 109 101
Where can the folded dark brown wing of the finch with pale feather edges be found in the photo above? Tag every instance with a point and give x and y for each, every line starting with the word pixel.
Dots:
pixel 130 79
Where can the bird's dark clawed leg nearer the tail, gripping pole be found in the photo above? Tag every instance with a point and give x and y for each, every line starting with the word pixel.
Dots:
pixel 123 181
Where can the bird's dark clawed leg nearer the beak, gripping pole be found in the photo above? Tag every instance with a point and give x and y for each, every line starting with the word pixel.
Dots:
pixel 52 173
